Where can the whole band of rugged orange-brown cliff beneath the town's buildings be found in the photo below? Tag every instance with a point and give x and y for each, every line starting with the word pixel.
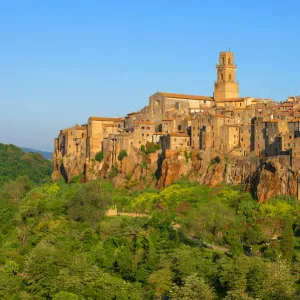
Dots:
pixel 264 178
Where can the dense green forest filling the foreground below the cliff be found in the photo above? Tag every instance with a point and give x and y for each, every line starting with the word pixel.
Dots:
pixel 187 241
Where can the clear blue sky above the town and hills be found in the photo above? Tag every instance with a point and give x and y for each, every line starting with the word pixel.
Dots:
pixel 63 61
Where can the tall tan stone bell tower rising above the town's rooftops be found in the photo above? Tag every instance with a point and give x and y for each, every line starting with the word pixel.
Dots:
pixel 226 85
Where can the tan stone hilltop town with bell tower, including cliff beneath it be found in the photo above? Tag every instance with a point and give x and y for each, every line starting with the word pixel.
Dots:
pixel 224 137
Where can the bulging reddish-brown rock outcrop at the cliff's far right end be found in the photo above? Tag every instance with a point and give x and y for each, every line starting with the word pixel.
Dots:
pixel 273 177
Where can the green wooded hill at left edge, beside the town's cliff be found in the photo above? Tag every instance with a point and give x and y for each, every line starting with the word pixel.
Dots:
pixel 15 162
